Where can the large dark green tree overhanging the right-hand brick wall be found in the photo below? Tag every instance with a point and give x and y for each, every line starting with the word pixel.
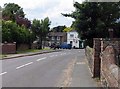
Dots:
pixel 93 19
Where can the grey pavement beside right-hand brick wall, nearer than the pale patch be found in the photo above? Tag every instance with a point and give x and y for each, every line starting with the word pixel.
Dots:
pixel 81 76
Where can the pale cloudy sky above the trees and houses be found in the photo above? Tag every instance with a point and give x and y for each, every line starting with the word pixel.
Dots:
pixel 39 9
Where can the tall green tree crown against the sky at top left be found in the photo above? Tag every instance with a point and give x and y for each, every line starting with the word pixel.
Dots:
pixel 11 10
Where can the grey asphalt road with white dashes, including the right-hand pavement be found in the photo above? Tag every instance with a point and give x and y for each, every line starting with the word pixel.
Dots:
pixel 67 68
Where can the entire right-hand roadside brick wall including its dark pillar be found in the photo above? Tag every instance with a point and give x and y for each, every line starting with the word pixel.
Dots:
pixel 104 62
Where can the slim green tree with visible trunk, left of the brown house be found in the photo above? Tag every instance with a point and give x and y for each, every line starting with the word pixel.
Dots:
pixel 41 28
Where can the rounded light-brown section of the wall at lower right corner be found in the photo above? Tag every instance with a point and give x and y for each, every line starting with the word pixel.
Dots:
pixel 109 70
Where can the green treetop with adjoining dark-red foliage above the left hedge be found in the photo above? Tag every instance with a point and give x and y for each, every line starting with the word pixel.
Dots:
pixel 15 13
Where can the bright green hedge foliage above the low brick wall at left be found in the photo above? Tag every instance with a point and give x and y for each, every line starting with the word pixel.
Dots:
pixel 11 32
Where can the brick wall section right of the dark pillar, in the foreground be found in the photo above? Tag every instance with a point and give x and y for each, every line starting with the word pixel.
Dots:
pixel 109 68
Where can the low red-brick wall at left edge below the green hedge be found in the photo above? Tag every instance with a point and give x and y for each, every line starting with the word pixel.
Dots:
pixel 8 48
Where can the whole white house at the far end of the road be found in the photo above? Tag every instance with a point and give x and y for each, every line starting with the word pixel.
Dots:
pixel 73 39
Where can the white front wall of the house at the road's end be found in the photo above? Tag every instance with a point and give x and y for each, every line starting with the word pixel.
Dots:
pixel 74 39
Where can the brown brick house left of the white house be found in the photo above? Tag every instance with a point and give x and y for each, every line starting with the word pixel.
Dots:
pixel 57 37
